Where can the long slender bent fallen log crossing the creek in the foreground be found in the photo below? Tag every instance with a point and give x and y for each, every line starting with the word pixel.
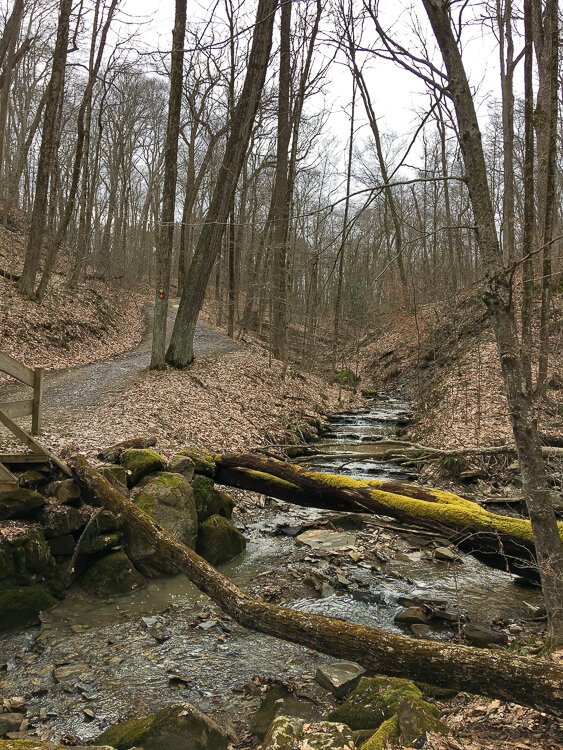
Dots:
pixel 533 682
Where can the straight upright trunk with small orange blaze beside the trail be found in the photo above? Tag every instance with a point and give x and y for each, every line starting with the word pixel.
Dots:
pixel 166 233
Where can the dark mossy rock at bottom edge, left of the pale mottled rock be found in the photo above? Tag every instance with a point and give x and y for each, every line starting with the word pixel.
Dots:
pixel 176 727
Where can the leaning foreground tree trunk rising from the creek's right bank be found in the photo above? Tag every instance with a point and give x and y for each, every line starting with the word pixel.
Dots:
pixel 498 298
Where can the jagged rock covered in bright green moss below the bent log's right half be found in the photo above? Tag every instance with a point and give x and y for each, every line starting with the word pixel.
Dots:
pixel 393 706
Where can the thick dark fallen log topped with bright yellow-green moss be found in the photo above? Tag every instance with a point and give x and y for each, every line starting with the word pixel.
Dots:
pixel 500 541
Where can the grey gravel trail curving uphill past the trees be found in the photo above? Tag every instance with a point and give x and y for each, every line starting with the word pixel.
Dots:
pixel 89 385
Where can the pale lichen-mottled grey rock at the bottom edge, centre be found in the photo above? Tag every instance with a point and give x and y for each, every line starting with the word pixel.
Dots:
pixel 289 733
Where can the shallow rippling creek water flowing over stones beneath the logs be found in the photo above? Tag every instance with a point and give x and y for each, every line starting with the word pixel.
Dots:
pixel 167 642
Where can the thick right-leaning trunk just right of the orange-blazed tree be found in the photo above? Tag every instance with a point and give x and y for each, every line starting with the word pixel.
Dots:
pixel 181 350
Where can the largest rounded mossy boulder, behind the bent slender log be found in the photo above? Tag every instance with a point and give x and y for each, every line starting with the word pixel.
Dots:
pixel 169 499
